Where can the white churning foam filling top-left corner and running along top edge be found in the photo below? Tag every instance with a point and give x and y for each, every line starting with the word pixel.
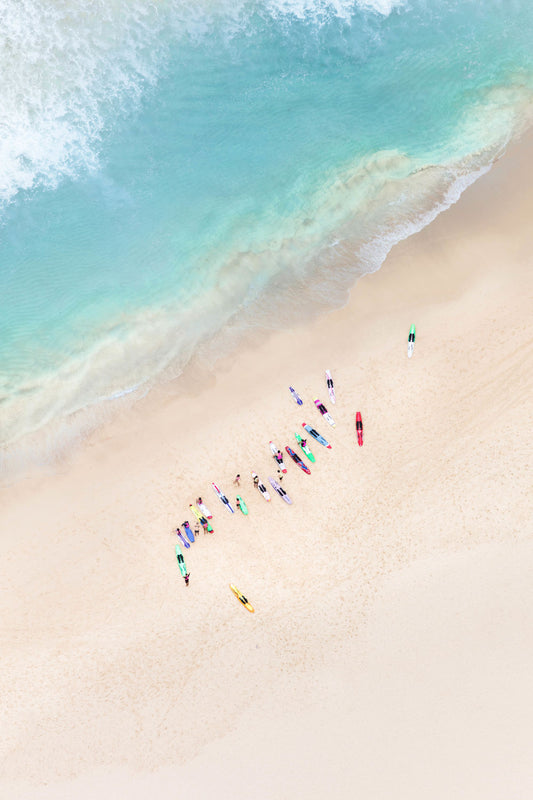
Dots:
pixel 68 67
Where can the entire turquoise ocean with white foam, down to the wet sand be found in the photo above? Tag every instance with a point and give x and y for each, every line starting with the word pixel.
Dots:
pixel 174 174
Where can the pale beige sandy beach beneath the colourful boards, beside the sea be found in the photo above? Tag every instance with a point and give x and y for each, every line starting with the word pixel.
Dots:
pixel 390 652
